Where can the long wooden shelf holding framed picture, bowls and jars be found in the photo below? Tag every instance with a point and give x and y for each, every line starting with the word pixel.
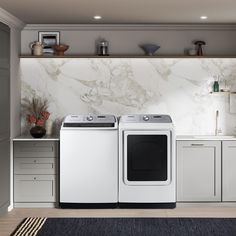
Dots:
pixel 128 56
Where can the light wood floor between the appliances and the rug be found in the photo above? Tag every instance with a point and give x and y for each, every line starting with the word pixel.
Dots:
pixel 9 221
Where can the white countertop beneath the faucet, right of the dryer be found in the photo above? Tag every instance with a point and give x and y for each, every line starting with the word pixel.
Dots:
pixel 206 137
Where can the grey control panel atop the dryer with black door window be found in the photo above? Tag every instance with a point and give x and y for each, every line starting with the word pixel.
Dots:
pixel 146 118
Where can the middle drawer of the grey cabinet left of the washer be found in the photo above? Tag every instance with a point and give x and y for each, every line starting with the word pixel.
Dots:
pixel 35 166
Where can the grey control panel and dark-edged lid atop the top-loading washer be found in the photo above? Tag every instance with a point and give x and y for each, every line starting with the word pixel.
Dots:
pixel 89 121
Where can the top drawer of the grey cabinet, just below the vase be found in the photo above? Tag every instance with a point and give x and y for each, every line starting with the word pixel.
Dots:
pixel 35 149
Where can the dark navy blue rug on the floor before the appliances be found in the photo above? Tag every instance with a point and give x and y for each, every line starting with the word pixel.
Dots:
pixel 138 227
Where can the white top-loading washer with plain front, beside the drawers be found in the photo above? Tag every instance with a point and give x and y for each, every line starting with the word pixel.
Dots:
pixel 89 162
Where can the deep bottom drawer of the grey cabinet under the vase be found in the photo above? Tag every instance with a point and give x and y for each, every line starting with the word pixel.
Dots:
pixel 34 188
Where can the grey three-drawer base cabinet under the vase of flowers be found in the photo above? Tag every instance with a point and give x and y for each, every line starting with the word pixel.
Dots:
pixel 35 172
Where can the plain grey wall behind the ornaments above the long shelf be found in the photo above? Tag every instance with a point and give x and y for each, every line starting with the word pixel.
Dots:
pixel 124 39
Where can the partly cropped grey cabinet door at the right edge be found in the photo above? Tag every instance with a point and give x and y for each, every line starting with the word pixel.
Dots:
pixel 229 171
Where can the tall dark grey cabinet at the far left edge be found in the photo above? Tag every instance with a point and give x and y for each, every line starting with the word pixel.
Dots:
pixel 4 116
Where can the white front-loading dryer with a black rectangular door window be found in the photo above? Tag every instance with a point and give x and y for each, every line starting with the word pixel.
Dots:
pixel 147 163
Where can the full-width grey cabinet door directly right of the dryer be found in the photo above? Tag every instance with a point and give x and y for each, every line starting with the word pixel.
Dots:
pixel 198 171
